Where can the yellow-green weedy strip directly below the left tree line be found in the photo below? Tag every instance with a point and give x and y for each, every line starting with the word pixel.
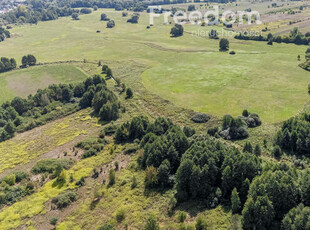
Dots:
pixel 22 149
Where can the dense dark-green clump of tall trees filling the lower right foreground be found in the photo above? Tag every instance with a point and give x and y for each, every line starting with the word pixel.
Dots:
pixel 205 169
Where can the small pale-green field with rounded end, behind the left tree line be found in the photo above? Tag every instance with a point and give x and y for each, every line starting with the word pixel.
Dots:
pixel 26 81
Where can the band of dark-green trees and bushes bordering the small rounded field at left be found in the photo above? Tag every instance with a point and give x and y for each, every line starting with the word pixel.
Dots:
pixel 22 114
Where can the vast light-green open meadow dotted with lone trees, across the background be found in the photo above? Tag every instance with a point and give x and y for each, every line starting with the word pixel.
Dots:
pixel 189 71
